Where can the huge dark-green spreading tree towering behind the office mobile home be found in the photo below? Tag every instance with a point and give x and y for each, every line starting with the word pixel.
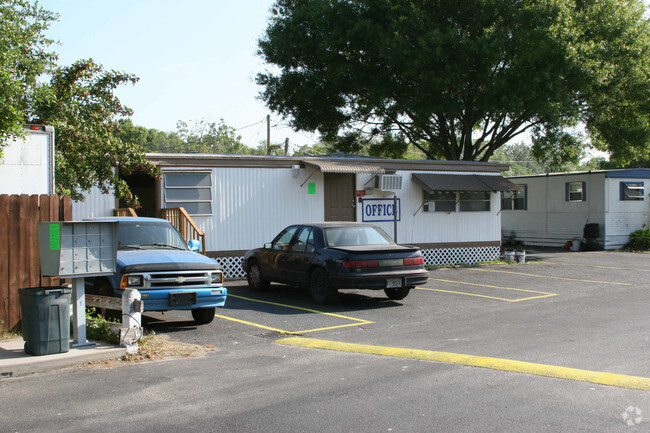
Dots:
pixel 458 80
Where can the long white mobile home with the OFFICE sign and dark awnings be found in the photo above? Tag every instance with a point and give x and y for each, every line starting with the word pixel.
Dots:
pixel 450 209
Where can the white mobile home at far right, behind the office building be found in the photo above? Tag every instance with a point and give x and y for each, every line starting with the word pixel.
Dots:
pixel 552 209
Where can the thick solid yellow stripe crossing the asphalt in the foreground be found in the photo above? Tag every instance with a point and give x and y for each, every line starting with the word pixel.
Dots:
pixel 611 379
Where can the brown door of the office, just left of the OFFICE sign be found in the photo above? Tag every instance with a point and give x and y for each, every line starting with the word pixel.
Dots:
pixel 339 197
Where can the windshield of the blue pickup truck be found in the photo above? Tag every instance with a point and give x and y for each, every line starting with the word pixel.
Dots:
pixel 149 234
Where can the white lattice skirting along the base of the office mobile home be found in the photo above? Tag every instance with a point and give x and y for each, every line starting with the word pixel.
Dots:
pixel 443 256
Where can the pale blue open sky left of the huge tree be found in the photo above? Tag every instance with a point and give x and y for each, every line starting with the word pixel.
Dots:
pixel 196 59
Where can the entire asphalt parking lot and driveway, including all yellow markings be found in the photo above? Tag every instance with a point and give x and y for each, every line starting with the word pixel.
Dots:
pixel 558 344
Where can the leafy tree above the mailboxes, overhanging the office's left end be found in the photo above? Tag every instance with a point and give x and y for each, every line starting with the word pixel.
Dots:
pixel 79 102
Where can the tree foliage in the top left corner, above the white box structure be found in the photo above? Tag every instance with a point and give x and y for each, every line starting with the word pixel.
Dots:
pixel 24 57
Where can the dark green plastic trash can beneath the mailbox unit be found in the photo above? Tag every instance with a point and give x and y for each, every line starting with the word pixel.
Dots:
pixel 45 319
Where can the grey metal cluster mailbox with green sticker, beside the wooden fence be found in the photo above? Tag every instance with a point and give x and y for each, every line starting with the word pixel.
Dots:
pixel 77 249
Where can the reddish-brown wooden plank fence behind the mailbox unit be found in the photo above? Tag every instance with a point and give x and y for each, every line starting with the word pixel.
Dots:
pixel 19 256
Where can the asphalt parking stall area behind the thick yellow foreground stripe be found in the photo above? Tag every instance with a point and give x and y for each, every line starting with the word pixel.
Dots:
pixel 580 310
